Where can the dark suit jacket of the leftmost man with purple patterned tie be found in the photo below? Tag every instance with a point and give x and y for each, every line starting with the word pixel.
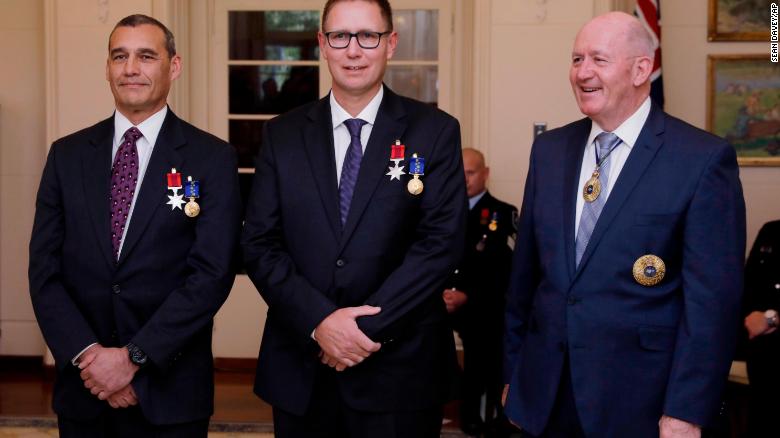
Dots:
pixel 172 276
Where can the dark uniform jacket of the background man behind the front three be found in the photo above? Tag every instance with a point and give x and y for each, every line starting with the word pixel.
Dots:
pixel 483 274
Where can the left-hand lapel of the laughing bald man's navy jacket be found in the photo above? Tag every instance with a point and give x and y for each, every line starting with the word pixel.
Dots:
pixel 573 164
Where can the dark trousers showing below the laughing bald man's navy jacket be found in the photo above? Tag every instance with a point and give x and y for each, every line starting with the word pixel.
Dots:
pixel 564 421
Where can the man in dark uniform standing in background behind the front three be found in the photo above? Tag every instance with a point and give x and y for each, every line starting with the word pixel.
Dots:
pixel 475 298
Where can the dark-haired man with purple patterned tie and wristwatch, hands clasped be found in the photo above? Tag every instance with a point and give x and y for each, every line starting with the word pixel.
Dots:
pixel 124 277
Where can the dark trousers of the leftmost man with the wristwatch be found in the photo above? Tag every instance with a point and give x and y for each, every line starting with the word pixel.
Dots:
pixel 128 423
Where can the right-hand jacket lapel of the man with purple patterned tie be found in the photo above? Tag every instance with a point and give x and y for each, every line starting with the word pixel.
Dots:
pixel 154 188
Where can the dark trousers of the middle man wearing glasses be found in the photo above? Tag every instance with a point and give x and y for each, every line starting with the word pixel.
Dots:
pixel 329 417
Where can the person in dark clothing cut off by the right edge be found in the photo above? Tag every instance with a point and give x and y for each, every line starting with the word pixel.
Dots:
pixel 762 302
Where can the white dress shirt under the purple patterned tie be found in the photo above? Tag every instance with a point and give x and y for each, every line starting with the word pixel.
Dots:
pixel 150 128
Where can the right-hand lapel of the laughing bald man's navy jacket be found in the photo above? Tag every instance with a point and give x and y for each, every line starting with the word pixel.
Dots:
pixel 642 154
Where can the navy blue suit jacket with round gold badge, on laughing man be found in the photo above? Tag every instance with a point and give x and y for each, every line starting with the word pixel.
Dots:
pixel 636 352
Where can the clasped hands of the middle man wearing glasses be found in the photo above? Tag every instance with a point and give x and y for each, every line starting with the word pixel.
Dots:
pixel 341 342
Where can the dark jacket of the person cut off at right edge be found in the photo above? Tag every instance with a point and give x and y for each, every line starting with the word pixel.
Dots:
pixel 762 292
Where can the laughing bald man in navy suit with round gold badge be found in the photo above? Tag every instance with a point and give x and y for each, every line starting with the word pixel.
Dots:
pixel 625 291
